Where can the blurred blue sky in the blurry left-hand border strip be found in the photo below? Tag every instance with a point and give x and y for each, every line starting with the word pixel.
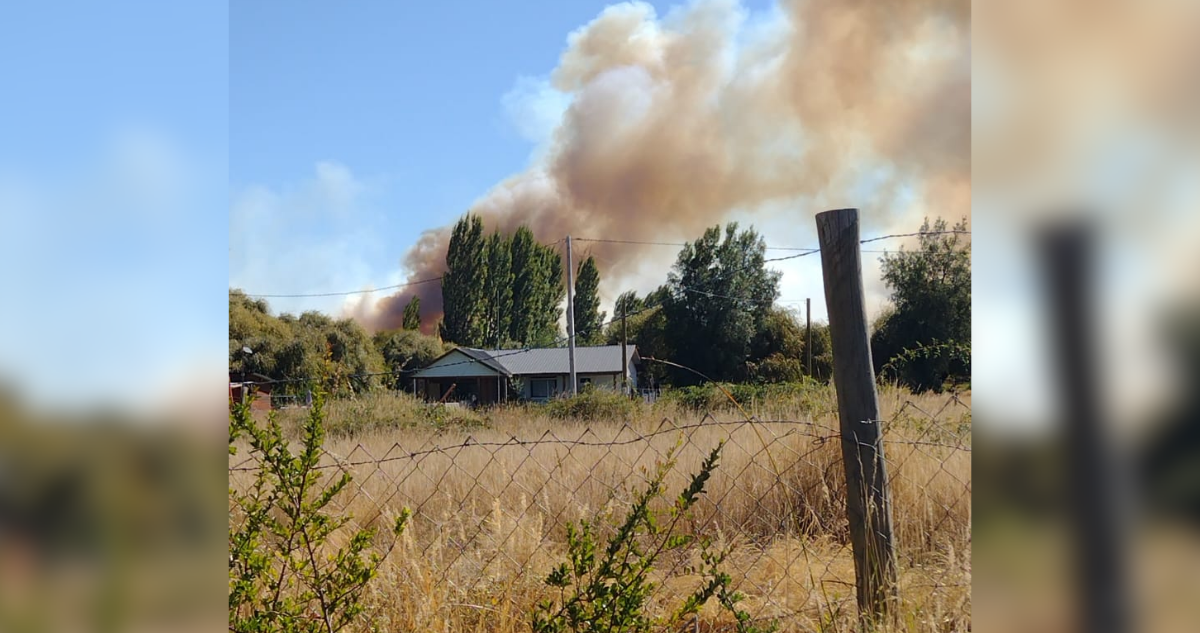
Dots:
pixel 113 168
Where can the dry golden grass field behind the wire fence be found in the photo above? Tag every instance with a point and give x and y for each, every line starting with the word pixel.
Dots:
pixel 493 493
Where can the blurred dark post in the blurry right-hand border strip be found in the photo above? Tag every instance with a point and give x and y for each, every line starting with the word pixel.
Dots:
pixel 1097 483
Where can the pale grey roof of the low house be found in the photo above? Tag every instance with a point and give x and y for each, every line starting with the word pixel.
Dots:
pixel 589 360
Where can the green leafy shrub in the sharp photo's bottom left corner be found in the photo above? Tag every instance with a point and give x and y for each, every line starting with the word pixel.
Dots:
pixel 280 576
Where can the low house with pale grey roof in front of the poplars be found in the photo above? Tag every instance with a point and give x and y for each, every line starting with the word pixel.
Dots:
pixel 531 375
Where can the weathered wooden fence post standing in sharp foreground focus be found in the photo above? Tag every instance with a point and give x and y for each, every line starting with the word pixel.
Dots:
pixel 868 499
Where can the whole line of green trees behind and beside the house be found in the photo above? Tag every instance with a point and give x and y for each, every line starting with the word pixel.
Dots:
pixel 716 316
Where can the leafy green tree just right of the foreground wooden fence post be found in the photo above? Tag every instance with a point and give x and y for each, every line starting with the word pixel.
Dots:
pixel 925 341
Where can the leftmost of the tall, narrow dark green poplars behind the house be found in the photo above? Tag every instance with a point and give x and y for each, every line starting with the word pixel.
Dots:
pixel 464 284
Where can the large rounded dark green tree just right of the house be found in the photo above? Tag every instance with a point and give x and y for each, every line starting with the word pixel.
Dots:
pixel 721 294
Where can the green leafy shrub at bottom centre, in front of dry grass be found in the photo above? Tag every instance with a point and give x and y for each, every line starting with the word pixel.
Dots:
pixel 605 588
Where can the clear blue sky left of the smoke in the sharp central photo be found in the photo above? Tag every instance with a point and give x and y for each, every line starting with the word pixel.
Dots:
pixel 412 92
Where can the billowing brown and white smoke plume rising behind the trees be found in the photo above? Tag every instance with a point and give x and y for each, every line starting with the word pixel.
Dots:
pixel 676 122
